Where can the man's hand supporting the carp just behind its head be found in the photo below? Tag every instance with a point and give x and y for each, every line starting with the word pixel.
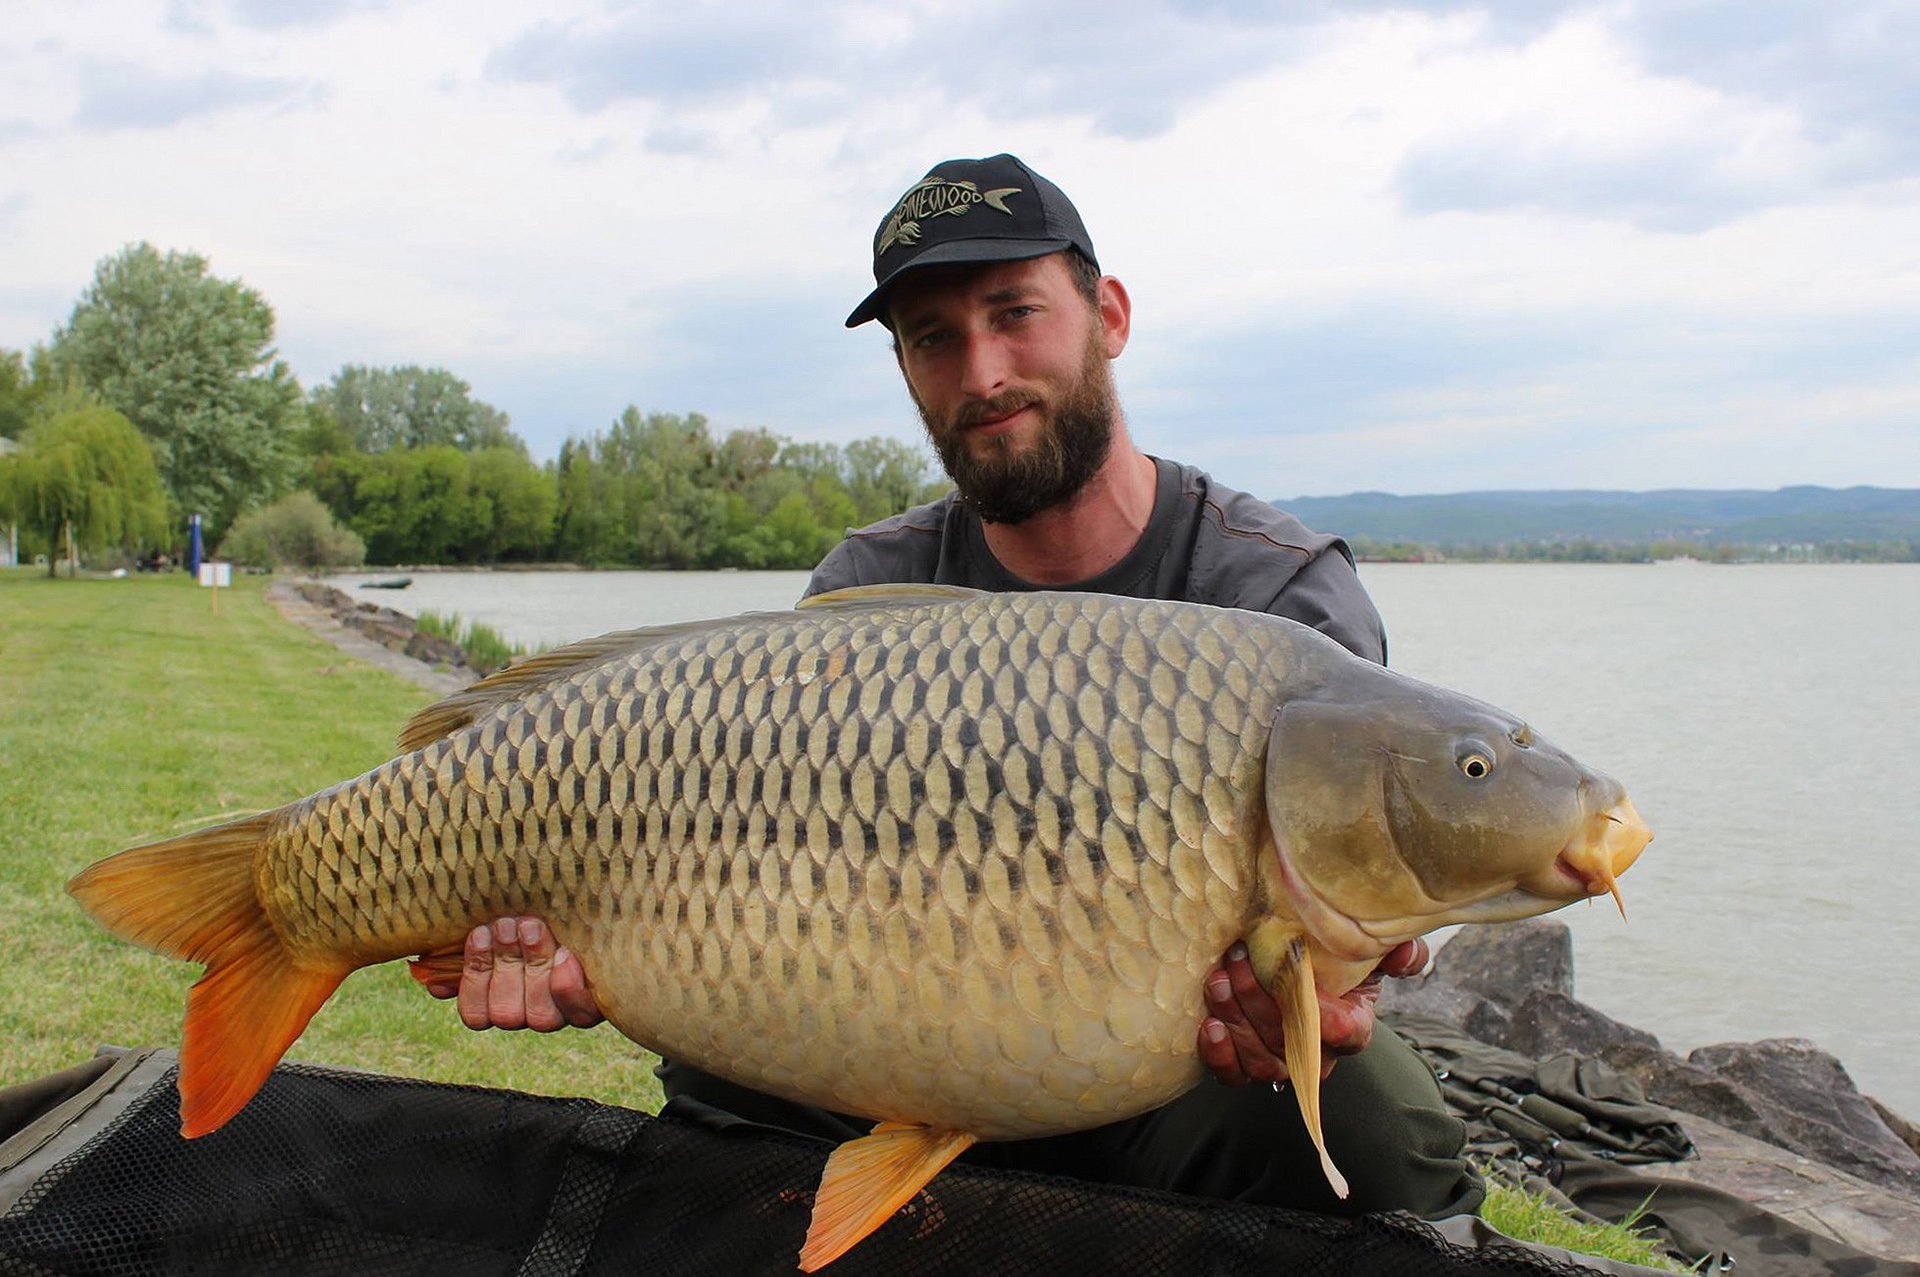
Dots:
pixel 1243 1040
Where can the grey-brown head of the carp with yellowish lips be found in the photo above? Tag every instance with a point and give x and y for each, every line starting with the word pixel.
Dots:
pixel 1399 807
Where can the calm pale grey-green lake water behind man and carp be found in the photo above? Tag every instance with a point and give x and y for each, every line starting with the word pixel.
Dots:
pixel 1765 721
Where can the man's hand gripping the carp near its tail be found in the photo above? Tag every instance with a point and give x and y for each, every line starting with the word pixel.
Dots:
pixel 514 978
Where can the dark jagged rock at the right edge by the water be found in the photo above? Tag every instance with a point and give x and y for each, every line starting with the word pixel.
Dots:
pixel 1812 1105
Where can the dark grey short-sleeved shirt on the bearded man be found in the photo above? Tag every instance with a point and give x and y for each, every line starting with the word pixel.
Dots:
pixel 1205 544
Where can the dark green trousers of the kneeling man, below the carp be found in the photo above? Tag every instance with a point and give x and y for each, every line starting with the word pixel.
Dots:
pixel 1387 1128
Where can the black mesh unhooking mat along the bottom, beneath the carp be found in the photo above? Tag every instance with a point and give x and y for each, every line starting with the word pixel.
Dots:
pixel 354 1174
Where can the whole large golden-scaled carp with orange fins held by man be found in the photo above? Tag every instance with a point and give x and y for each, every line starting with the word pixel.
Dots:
pixel 953 861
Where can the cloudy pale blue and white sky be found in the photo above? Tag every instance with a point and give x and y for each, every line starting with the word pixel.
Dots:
pixel 1420 247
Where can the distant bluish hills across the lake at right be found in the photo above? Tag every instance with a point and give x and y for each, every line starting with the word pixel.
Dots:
pixel 1744 518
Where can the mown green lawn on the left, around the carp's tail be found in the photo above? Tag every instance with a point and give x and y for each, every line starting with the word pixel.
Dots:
pixel 130 711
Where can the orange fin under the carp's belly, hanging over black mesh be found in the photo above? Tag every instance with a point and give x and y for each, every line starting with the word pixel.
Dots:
pixel 869 1180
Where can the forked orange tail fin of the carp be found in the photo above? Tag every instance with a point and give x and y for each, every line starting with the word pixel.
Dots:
pixel 193 898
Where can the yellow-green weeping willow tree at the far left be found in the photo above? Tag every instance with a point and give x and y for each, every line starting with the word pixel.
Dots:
pixel 84 481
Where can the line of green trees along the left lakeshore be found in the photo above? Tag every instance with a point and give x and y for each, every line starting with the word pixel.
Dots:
pixel 162 397
